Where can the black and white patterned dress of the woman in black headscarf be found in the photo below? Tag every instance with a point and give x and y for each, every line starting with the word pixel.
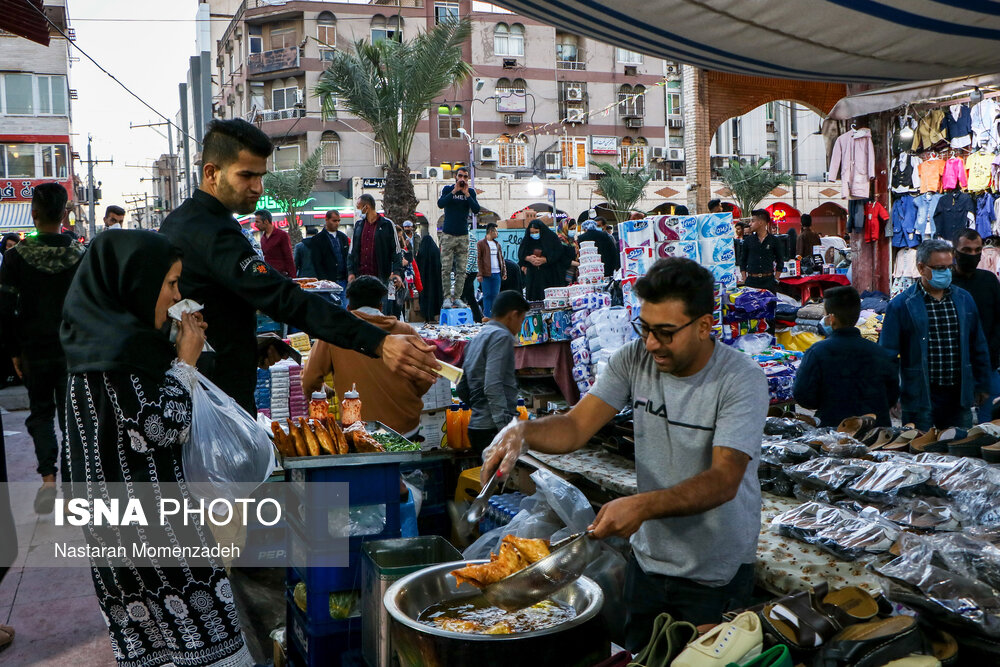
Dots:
pixel 128 429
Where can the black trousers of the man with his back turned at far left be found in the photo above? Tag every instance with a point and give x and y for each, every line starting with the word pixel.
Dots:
pixel 46 385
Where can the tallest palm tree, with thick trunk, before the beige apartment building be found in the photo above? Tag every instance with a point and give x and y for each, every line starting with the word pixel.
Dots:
pixel 391 85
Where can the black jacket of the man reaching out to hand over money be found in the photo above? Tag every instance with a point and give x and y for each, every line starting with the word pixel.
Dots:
pixel 224 273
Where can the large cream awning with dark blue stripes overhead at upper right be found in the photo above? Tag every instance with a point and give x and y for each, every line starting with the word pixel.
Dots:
pixel 874 41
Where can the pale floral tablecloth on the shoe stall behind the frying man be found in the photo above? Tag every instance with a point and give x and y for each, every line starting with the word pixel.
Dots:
pixel 784 565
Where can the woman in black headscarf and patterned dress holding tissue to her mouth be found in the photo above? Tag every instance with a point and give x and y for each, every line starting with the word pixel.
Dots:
pixel 129 415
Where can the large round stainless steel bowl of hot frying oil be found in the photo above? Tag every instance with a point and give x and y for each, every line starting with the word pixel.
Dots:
pixel 580 642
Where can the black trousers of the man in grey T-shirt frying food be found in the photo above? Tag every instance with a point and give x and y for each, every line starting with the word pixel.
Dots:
pixel 649 595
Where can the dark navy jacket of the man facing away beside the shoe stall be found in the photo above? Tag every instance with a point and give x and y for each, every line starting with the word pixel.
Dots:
pixel 845 376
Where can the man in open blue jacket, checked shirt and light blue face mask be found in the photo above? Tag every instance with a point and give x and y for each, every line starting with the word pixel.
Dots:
pixel 934 328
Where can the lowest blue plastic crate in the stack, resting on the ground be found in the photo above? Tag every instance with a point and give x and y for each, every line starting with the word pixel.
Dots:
pixel 340 647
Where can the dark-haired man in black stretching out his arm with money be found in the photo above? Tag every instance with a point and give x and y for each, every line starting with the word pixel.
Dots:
pixel 223 272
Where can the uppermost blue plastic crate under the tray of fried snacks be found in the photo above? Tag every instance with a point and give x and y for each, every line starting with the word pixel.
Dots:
pixel 312 494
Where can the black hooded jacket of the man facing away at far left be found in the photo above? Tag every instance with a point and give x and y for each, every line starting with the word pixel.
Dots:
pixel 34 279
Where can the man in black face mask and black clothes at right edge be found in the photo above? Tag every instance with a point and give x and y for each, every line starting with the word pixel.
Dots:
pixel 985 290
